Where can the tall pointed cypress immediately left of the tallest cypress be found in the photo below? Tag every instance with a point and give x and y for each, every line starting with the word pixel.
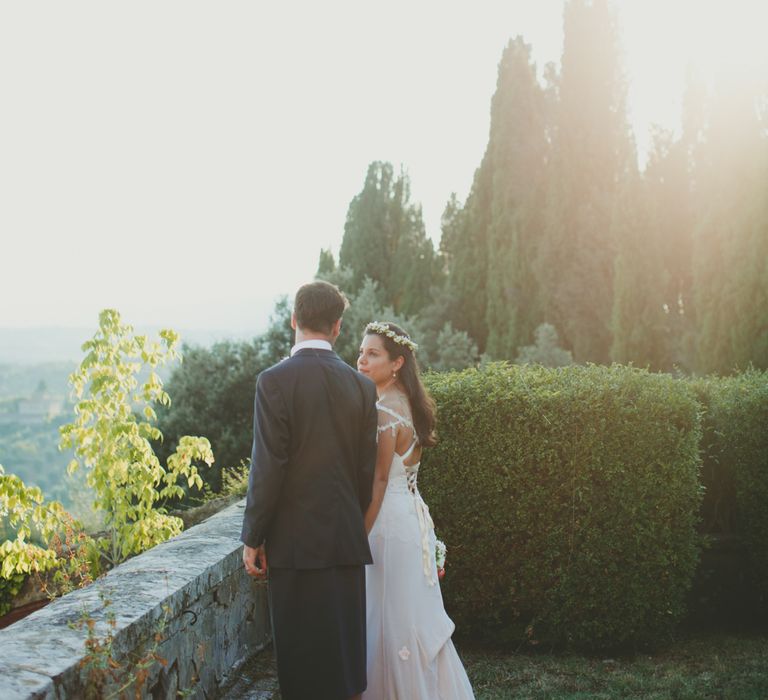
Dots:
pixel 488 243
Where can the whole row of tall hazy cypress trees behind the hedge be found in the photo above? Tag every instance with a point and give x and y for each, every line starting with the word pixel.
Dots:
pixel 664 268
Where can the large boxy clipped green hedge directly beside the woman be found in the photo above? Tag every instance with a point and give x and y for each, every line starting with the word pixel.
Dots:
pixel 568 499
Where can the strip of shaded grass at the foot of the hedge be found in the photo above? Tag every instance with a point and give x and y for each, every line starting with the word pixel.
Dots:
pixel 701 666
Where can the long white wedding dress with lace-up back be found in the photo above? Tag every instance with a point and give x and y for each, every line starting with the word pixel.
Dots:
pixel 410 652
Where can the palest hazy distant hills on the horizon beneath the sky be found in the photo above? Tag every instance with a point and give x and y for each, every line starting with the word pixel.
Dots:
pixel 34 346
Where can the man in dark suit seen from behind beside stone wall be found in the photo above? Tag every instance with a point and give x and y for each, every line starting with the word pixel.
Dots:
pixel 314 452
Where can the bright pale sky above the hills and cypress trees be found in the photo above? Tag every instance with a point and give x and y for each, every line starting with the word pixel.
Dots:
pixel 184 162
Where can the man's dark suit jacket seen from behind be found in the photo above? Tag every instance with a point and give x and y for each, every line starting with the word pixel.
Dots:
pixel 314 453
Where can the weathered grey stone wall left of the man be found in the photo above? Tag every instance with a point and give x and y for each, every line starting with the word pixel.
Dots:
pixel 190 593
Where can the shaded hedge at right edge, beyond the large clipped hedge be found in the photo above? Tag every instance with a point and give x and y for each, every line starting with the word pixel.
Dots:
pixel 735 465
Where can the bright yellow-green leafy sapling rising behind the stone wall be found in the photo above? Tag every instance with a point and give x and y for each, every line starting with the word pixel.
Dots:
pixel 113 444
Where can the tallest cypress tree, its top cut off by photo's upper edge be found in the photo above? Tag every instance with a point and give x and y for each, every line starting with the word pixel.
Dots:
pixel 592 155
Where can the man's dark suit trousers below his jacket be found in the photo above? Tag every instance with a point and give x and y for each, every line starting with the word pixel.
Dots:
pixel 318 627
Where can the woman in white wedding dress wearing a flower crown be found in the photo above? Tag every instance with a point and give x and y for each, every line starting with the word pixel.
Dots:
pixel 410 652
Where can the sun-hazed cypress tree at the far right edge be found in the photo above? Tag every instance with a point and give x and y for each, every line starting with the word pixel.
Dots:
pixel 731 241
